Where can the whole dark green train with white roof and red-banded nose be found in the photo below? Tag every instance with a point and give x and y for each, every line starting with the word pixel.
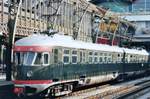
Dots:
pixel 55 65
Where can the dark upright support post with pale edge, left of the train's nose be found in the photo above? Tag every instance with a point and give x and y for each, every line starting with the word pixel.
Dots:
pixel 12 22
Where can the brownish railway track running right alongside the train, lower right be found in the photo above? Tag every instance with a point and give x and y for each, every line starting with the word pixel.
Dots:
pixel 120 90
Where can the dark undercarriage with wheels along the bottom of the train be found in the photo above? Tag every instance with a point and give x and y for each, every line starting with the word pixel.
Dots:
pixel 63 88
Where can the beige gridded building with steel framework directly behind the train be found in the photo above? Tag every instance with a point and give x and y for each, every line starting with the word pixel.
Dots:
pixel 77 18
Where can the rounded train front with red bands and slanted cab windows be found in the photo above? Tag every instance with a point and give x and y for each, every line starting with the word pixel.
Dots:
pixel 31 63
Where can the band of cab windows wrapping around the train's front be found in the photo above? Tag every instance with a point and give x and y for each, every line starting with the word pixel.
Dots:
pixel 31 58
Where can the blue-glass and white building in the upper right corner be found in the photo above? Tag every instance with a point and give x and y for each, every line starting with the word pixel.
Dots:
pixel 137 12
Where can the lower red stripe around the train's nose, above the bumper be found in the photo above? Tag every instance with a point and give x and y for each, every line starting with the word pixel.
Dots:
pixel 33 81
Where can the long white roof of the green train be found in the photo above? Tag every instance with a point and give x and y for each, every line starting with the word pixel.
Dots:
pixel 67 41
